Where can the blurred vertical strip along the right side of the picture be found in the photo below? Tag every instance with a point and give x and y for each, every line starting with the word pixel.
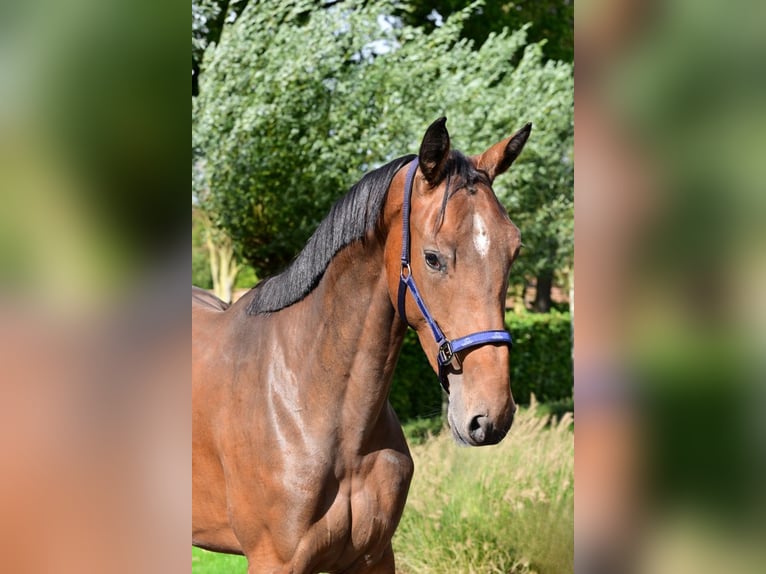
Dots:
pixel 671 319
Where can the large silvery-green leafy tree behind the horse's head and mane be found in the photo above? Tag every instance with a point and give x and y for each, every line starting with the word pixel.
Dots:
pixel 296 102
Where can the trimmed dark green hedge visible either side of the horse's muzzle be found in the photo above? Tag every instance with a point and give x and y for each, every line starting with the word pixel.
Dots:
pixel 541 363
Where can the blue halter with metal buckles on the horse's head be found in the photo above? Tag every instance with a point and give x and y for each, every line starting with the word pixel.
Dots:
pixel 448 349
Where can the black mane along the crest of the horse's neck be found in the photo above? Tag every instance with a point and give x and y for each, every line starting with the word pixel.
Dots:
pixel 349 219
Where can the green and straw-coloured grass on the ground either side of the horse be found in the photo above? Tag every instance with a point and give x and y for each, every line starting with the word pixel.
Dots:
pixel 506 509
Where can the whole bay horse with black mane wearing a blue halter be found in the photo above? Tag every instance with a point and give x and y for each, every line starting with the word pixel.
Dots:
pixel 299 462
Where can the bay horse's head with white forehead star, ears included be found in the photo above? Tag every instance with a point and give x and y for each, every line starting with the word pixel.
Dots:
pixel 461 247
